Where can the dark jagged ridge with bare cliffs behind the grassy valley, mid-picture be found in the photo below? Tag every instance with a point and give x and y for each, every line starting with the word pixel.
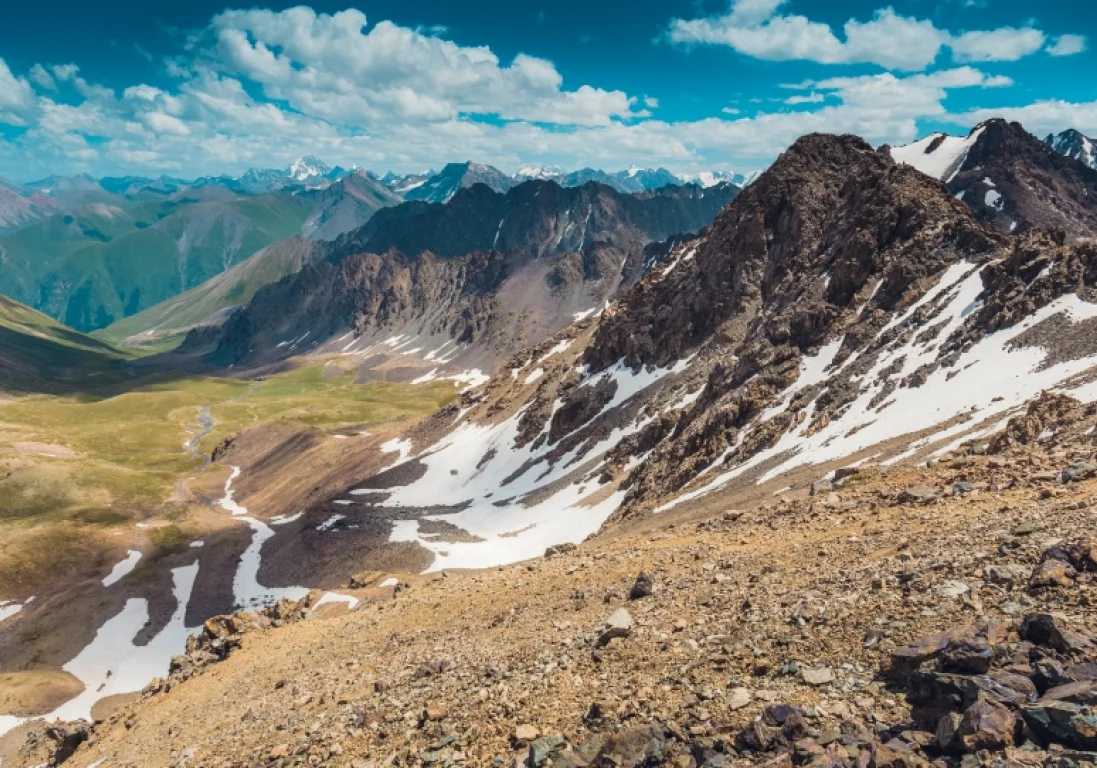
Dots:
pixel 485 275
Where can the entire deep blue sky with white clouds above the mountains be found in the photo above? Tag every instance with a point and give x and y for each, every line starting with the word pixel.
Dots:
pixel 205 88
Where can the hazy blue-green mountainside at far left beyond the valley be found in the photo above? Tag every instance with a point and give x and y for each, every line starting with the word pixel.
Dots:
pixel 106 262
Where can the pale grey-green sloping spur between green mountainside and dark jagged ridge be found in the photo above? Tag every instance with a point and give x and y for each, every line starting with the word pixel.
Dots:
pixel 165 325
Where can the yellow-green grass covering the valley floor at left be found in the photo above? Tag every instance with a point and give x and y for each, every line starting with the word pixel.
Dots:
pixel 76 467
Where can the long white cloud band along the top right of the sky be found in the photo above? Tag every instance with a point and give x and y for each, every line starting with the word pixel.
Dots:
pixel 755 28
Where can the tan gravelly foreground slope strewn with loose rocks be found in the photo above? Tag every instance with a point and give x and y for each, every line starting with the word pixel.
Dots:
pixel 854 627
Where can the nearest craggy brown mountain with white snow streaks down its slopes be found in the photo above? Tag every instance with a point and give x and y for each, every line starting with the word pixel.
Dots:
pixel 844 308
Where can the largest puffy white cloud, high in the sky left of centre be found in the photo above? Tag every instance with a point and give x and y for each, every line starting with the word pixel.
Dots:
pixel 332 67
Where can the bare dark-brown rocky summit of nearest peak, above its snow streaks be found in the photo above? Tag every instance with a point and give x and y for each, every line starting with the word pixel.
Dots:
pixel 791 253
